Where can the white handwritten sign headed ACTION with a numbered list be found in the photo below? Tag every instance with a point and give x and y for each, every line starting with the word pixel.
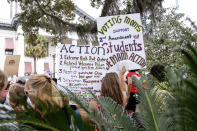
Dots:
pixel 81 68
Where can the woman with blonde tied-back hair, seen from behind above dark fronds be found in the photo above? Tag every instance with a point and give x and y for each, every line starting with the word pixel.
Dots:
pixel 46 99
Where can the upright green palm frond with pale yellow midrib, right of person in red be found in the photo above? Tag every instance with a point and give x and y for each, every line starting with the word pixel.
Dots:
pixel 153 104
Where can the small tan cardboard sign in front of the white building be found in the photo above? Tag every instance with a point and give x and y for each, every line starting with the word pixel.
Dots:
pixel 11 64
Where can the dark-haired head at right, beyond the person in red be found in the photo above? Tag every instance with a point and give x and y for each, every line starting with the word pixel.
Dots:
pixel 158 71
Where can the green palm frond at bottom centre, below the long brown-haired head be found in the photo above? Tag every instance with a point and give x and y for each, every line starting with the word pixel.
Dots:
pixel 111 116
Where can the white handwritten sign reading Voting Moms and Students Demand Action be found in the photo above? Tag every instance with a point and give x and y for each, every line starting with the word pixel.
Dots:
pixel 123 38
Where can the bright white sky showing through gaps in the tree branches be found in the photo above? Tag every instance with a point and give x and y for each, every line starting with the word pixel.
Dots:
pixel 185 6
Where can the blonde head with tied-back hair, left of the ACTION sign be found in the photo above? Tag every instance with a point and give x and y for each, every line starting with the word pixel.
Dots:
pixel 44 88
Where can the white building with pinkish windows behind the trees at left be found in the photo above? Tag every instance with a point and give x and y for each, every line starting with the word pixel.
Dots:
pixel 13 60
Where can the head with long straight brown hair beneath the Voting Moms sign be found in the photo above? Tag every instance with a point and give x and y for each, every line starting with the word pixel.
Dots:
pixel 111 87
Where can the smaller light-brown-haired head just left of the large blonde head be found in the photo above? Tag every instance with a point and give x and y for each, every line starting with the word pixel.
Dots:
pixel 16 93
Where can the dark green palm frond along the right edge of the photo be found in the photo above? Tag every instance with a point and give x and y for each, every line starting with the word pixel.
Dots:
pixel 186 113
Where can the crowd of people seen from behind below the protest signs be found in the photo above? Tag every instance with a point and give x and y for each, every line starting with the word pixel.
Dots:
pixel 116 86
